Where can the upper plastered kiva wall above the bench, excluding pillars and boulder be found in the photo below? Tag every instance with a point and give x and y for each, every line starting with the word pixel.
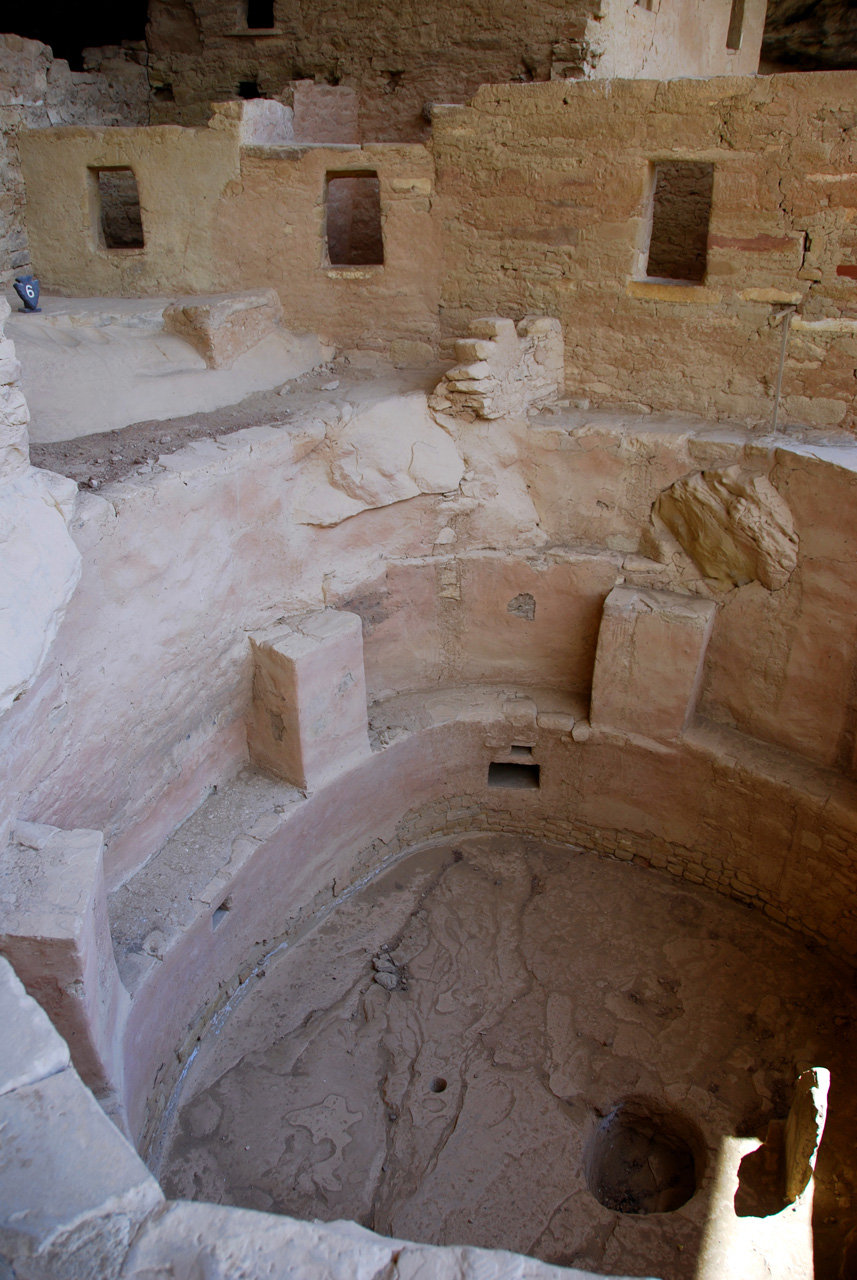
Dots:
pixel 141 708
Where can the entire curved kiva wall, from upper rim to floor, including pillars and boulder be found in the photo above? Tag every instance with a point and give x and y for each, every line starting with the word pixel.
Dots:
pixel 626 636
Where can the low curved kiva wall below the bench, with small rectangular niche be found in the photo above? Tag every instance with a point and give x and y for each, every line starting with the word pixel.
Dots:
pixel 695 810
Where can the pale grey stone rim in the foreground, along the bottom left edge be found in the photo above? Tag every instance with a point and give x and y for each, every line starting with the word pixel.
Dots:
pixel 75 1196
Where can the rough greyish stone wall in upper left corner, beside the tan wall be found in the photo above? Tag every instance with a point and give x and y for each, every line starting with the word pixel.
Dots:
pixel 39 92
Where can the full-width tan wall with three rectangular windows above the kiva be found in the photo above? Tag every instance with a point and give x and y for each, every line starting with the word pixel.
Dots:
pixel 534 199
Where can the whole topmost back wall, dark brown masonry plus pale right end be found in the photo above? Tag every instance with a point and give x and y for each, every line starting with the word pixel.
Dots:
pixel 400 60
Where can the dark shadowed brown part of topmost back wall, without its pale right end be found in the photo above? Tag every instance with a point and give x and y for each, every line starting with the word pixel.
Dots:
pixel 397 57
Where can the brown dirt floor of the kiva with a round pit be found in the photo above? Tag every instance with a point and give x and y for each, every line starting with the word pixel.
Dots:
pixel 484 1040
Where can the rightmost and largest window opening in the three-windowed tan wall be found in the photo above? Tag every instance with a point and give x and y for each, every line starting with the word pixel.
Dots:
pixel 680 223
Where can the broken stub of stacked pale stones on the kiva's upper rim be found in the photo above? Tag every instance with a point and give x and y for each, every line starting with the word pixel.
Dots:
pixel 506 371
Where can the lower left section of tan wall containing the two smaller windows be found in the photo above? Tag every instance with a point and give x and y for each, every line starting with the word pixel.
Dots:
pixel 218 216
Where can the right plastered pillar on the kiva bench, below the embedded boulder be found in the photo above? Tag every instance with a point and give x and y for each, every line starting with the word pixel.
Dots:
pixel 649 661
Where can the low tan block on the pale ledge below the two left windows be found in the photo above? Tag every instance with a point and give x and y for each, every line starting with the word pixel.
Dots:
pixel 224 326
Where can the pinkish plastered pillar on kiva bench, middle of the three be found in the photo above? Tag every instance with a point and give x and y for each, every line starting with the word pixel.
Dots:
pixel 309 720
